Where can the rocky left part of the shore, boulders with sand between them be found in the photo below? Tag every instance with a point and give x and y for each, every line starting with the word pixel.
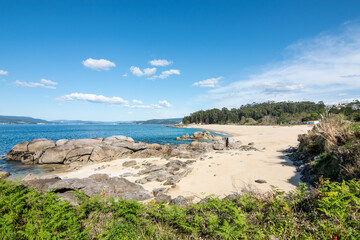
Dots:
pixel 159 168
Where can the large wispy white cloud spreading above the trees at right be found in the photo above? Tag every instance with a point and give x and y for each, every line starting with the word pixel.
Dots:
pixel 317 69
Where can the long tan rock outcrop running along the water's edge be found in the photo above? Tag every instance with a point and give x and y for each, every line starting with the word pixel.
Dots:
pixel 79 151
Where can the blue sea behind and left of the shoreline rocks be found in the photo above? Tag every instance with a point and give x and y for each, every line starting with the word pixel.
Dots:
pixel 12 134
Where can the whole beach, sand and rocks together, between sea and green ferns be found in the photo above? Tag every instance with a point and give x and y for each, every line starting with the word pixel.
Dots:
pixel 122 168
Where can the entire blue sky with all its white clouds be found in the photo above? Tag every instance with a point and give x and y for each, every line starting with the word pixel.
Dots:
pixel 136 60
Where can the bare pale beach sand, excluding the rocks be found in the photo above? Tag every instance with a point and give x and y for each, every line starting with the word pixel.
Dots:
pixel 225 172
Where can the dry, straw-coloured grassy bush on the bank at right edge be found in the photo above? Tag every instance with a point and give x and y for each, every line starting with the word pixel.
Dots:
pixel 333 148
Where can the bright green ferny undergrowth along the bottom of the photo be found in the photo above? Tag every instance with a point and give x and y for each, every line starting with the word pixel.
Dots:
pixel 331 211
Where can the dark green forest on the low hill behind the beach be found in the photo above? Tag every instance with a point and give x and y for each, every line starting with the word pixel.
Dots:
pixel 260 113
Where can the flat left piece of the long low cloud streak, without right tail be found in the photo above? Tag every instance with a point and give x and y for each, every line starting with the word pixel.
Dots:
pixel 92 98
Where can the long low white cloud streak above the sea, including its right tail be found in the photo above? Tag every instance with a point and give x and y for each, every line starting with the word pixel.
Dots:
pixel 93 98
